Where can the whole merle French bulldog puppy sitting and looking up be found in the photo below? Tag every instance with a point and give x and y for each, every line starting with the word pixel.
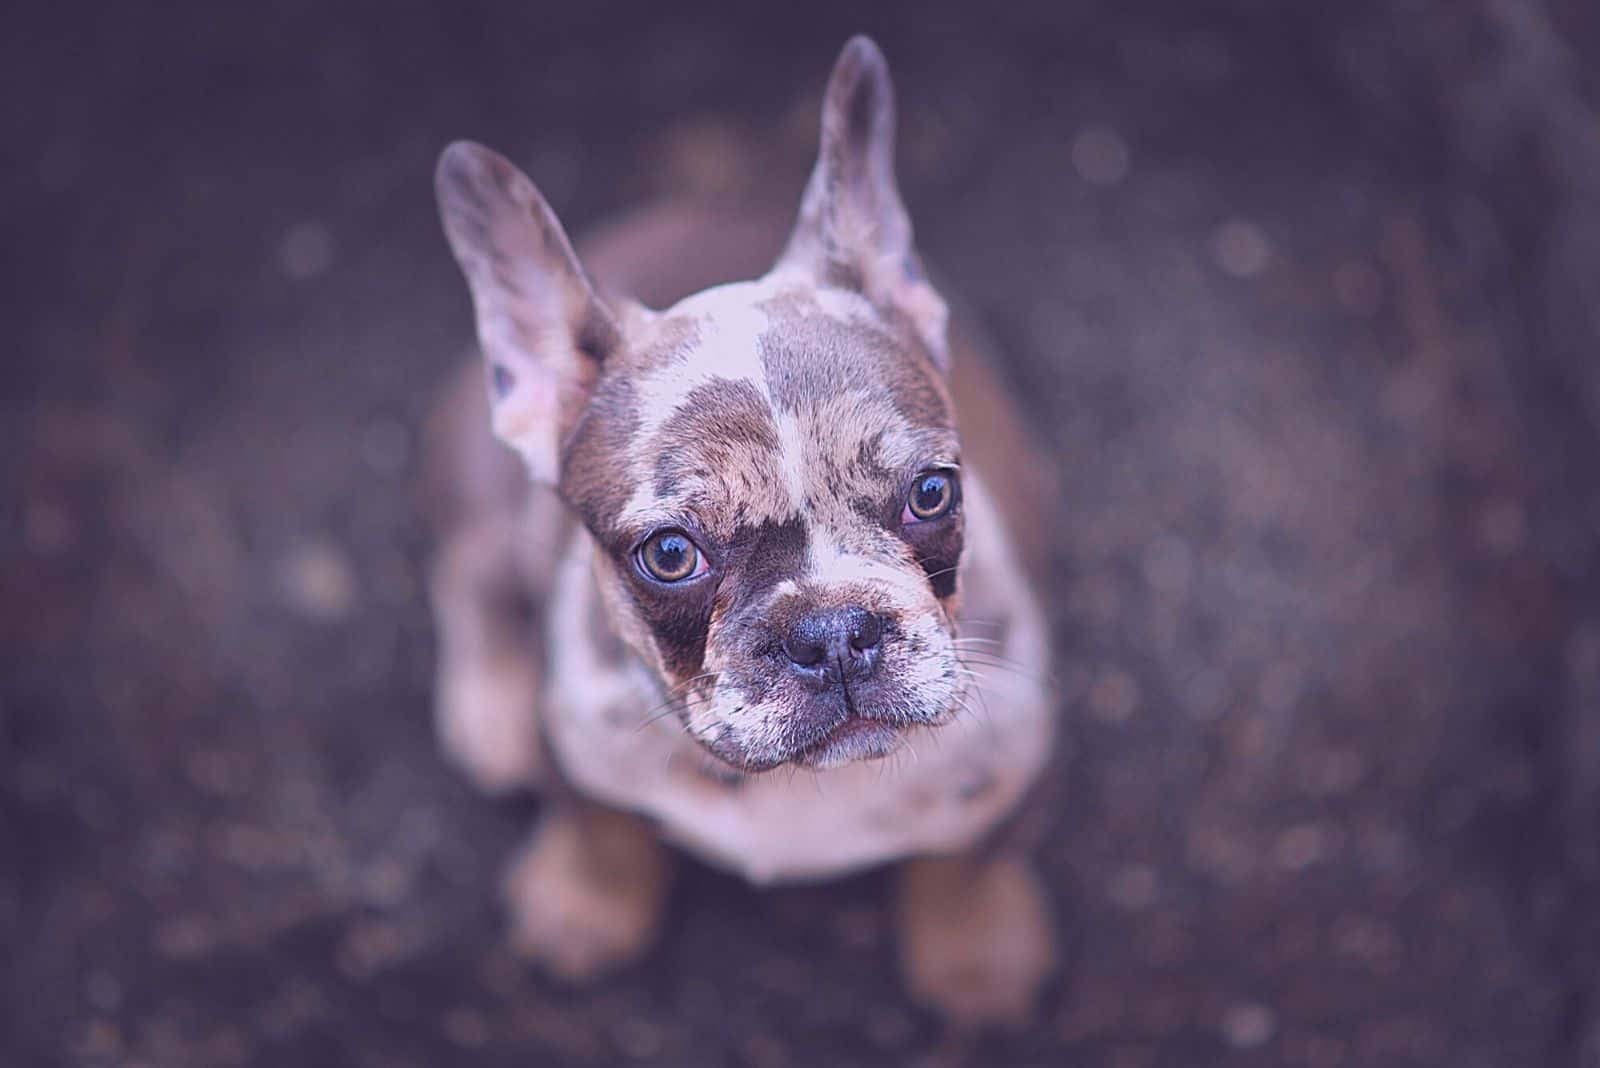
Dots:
pixel 740 584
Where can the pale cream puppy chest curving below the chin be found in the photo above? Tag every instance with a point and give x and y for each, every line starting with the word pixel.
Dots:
pixel 942 794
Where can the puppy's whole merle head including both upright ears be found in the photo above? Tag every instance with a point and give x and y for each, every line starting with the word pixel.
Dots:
pixel 770 469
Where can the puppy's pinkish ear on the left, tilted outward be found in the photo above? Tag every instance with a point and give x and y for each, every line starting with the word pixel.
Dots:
pixel 543 330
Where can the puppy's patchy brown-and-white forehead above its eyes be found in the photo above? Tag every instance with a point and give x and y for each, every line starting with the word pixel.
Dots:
pixel 754 404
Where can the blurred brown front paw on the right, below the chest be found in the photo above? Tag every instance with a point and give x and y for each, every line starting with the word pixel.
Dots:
pixel 977 939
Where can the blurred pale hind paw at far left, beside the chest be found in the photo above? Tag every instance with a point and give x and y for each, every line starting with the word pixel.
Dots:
pixel 487 723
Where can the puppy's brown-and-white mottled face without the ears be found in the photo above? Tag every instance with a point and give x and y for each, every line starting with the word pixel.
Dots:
pixel 775 487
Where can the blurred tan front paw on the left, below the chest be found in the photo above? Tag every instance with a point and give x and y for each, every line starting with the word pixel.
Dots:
pixel 586 895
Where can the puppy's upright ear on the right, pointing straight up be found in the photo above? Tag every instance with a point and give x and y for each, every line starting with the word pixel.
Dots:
pixel 854 229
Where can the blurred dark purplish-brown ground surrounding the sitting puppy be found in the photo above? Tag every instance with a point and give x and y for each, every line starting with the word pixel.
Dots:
pixel 1305 297
